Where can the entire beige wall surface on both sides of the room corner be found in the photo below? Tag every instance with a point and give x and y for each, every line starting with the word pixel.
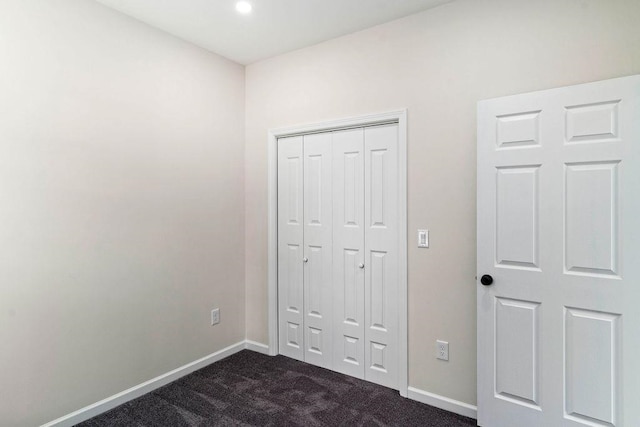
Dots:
pixel 123 175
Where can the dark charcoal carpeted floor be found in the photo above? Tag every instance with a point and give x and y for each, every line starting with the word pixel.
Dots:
pixel 251 389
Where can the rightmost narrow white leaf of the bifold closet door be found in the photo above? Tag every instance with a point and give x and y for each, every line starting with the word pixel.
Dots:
pixel 381 249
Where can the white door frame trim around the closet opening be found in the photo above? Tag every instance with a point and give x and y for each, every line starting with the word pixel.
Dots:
pixel 399 117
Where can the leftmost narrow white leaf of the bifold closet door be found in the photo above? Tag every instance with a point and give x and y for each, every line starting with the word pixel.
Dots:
pixel 290 247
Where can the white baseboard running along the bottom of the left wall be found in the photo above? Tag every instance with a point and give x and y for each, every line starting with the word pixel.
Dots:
pixel 146 387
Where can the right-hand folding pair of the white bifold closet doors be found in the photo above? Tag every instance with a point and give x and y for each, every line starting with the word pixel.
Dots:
pixel 365 253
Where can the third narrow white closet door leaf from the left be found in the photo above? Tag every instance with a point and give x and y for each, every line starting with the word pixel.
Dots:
pixel 348 252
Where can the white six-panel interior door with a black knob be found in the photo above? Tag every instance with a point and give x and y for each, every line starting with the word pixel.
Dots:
pixel 558 232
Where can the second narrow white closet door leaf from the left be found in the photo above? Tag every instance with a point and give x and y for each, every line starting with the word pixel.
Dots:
pixel 317 249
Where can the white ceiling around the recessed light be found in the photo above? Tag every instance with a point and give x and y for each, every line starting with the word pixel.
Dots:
pixel 274 26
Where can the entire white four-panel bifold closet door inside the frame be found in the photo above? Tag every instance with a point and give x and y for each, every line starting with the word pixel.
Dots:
pixel 338 251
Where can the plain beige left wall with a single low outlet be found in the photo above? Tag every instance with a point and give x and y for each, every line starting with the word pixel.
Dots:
pixel 122 207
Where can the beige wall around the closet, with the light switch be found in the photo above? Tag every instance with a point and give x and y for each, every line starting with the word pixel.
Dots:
pixel 438 64
